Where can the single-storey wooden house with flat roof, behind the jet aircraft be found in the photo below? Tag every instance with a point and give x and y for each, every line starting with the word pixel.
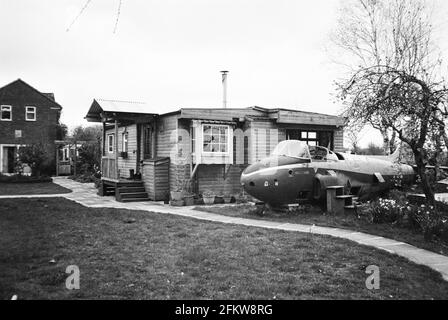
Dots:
pixel 196 148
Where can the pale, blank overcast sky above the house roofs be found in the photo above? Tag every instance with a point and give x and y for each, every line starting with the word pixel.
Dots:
pixel 168 53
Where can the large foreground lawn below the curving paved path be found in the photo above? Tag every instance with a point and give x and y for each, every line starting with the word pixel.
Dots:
pixel 141 255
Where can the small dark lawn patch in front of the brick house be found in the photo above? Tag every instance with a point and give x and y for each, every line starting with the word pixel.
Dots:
pixel 31 188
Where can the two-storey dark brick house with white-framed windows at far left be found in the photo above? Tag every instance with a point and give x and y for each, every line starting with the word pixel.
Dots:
pixel 26 116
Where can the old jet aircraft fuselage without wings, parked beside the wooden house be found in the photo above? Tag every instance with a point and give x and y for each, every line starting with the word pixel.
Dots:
pixel 295 172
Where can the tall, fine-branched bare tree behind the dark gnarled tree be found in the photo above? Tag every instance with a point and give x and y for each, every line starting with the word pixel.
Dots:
pixel 393 33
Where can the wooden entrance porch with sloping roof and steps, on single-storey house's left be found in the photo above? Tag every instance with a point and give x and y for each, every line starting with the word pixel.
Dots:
pixel 128 137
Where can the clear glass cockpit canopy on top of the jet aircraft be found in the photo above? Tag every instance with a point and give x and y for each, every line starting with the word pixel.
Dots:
pixel 299 149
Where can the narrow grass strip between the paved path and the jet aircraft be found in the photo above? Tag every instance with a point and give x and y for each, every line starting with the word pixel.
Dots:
pixel 315 216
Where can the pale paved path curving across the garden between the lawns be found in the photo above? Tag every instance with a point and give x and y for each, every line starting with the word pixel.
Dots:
pixel 85 194
